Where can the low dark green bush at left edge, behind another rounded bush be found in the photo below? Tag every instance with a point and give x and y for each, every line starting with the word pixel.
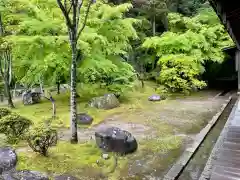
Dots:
pixel 14 127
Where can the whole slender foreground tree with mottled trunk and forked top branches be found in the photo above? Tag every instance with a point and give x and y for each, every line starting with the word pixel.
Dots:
pixel 71 10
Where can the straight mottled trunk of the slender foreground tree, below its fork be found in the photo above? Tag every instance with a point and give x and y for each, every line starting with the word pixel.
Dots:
pixel 73 99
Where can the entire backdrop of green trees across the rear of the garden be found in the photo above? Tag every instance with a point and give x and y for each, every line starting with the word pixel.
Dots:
pixel 116 43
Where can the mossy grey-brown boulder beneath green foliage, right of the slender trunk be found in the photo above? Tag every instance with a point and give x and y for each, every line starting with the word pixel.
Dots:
pixel 108 101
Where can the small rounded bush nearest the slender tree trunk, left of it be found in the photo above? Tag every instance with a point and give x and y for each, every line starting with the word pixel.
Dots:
pixel 41 137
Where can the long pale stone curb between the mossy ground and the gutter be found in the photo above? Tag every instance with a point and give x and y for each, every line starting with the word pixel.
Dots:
pixel 184 159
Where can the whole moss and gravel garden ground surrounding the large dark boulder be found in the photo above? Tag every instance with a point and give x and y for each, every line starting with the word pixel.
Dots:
pixel 159 137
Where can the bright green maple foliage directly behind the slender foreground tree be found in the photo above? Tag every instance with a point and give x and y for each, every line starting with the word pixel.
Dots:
pixel 41 49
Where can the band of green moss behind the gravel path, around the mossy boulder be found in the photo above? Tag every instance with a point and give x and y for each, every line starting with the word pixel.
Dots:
pixel 131 101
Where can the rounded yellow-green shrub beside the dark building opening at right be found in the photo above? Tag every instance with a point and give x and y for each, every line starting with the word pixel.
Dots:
pixel 179 73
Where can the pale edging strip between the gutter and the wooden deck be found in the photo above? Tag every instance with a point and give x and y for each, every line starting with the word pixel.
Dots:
pixel 215 151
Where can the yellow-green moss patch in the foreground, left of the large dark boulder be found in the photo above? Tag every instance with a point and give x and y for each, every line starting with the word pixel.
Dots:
pixel 68 158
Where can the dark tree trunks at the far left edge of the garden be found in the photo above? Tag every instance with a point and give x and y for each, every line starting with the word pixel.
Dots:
pixel 5 62
